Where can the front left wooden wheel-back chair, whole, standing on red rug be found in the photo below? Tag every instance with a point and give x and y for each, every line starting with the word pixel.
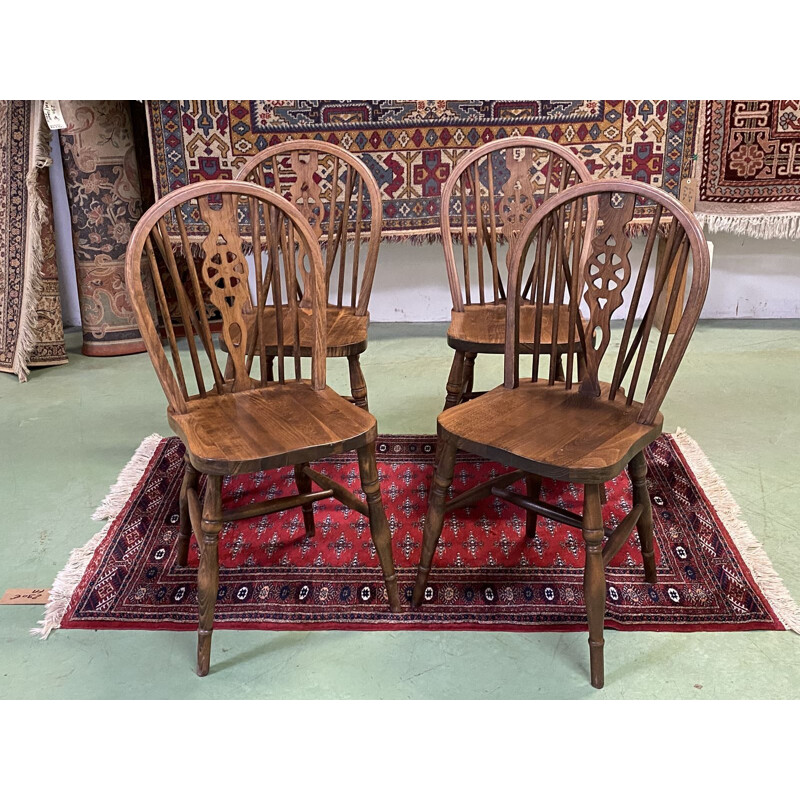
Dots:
pixel 247 422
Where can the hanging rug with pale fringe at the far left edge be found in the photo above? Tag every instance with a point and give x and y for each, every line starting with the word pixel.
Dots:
pixel 31 331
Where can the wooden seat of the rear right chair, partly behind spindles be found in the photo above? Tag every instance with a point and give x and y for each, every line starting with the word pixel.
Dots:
pixel 482 329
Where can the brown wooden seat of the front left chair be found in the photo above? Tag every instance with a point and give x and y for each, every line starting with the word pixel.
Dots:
pixel 274 426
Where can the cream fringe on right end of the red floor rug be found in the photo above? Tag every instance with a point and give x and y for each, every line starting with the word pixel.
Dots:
pixel 752 551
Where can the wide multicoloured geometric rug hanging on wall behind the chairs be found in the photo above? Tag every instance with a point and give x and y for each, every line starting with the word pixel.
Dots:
pixel 411 146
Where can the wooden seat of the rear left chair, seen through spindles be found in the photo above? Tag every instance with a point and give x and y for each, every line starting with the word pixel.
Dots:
pixel 346 332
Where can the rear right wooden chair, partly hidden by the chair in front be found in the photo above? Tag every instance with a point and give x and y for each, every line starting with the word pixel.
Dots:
pixel 517 174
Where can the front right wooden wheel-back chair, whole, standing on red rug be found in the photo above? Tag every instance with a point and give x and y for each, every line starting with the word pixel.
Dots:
pixel 584 431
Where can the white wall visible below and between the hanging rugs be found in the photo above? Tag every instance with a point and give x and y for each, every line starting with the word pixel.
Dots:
pixel 750 278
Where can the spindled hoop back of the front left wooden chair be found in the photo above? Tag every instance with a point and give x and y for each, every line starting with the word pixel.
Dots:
pixel 255 298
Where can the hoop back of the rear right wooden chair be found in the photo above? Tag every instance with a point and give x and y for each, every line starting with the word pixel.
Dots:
pixel 490 194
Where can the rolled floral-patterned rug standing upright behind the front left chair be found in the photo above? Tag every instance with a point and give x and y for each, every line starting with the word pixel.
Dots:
pixel 105 200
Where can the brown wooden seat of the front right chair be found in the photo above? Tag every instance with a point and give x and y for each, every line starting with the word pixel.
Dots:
pixel 550 431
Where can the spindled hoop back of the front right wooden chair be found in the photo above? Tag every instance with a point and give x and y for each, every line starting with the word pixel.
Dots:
pixel 583 262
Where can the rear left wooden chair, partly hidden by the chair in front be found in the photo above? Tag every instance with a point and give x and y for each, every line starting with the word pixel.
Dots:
pixel 330 186
